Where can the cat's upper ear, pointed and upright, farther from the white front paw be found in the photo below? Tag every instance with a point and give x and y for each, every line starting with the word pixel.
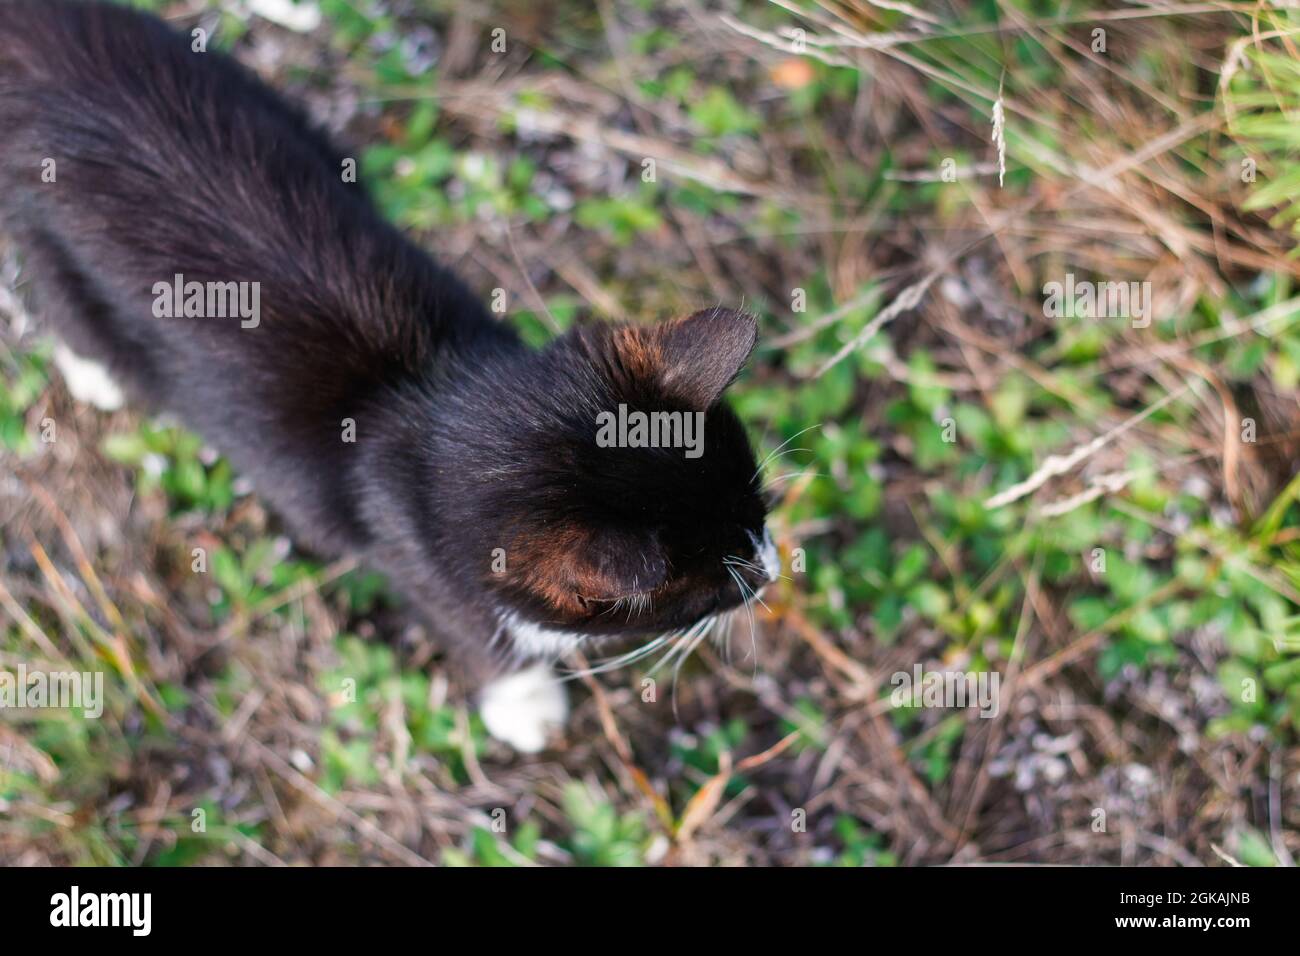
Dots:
pixel 704 353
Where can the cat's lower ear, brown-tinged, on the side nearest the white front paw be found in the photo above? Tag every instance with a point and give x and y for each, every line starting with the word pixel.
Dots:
pixel 609 565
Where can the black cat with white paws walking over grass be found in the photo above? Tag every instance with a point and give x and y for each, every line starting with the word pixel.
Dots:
pixel 192 233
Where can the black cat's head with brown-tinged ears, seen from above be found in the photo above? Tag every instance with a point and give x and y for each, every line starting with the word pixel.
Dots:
pixel 642 509
